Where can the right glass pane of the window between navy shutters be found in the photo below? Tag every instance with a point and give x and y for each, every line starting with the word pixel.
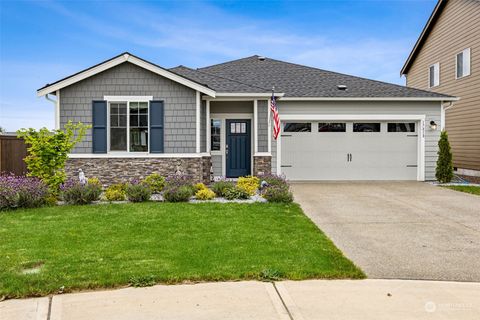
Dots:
pixel 138 126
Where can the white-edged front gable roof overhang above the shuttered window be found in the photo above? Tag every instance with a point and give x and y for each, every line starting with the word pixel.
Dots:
pixel 122 58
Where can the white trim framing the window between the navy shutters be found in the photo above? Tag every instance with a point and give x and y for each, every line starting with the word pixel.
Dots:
pixel 127 100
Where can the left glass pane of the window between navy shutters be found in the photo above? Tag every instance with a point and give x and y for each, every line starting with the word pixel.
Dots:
pixel 118 127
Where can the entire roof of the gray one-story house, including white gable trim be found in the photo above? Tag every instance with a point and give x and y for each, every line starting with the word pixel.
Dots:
pixel 255 76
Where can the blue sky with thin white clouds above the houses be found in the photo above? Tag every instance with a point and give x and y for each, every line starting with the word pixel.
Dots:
pixel 44 41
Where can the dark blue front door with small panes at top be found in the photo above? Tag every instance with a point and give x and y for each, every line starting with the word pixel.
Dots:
pixel 238 148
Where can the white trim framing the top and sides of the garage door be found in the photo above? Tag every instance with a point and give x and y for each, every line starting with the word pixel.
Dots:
pixel 419 118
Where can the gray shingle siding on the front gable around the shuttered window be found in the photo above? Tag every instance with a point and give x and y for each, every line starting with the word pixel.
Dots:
pixel 130 80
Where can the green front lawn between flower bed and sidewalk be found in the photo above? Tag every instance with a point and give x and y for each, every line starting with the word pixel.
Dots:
pixel 104 246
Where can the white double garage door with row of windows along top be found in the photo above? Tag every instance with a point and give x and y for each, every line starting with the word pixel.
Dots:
pixel 349 150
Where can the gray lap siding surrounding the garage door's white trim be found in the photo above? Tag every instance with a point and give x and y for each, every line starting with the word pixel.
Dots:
pixel 430 109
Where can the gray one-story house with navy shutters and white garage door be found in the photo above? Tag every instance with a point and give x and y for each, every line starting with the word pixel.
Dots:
pixel 146 118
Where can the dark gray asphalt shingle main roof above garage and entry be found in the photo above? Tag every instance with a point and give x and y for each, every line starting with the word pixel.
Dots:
pixel 253 74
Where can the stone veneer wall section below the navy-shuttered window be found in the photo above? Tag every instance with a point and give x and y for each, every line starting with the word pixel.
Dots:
pixel 116 170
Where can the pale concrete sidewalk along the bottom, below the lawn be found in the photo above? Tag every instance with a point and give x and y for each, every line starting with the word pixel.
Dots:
pixel 312 299
